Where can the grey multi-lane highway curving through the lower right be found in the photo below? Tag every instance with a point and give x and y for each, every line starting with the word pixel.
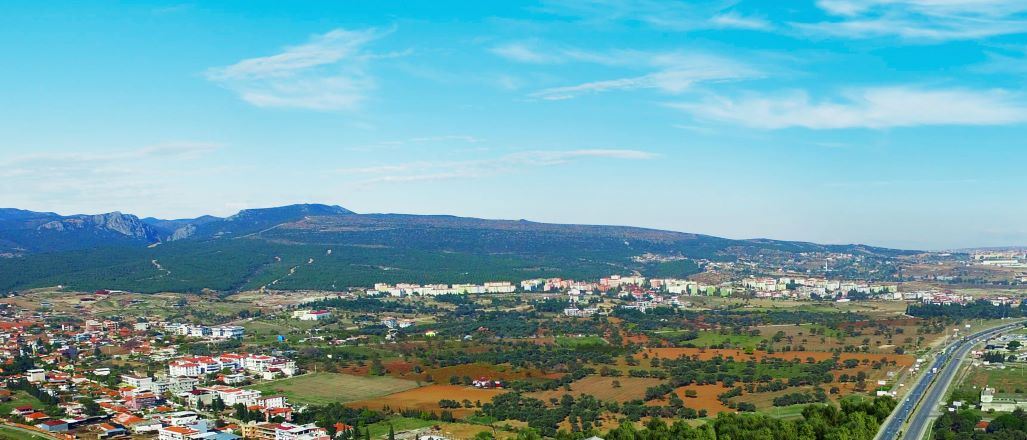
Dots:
pixel 931 391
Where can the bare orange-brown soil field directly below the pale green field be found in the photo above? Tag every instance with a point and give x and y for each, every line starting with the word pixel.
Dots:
pixel 427 399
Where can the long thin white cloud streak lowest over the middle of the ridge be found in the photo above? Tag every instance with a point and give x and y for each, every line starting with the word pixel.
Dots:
pixel 445 170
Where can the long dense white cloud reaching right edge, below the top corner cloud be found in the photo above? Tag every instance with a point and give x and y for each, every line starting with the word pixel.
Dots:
pixel 867 108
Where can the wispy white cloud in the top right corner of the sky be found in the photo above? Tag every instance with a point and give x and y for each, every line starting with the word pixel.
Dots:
pixel 920 20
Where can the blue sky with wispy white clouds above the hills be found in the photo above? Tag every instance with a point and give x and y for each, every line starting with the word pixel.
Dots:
pixel 892 123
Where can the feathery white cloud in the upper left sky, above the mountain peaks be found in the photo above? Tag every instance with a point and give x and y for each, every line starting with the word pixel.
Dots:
pixel 330 72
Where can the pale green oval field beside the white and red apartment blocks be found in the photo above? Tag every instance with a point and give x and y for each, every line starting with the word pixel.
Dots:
pixel 321 389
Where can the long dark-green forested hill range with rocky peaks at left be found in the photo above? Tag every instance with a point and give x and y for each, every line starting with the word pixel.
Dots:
pixel 325 247
